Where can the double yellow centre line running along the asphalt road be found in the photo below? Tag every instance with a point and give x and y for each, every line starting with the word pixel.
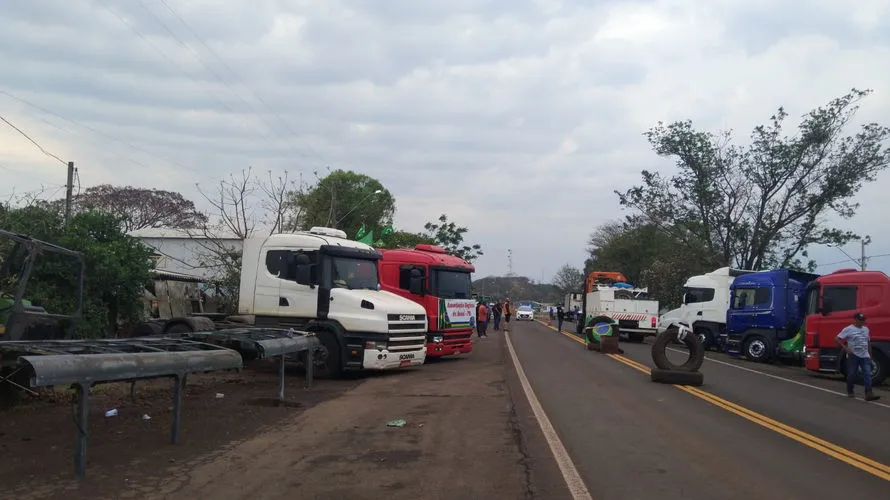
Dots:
pixel 844 455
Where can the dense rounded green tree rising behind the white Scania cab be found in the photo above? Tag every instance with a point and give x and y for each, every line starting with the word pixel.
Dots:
pixel 345 200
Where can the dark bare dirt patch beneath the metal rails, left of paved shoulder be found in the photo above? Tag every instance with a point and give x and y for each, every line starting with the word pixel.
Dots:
pixel 37 437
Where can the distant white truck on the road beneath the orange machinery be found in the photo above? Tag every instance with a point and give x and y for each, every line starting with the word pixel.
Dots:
pixel 631 308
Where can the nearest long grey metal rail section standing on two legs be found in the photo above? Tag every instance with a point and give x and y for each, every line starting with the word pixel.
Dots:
pixel 83 363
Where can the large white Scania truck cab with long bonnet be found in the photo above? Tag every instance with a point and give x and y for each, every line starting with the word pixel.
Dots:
pixel 322 282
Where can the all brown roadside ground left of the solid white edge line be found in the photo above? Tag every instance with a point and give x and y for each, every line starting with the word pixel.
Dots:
pixel 461 439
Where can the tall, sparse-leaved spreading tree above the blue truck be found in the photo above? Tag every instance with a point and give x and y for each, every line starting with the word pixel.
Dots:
pixel 762 205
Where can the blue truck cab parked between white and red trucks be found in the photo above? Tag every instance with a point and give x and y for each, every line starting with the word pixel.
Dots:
pixel 766 314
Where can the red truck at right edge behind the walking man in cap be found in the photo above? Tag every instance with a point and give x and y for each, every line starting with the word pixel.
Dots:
pixel 832 300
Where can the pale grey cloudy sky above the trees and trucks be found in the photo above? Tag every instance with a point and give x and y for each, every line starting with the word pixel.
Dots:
pixel 518 118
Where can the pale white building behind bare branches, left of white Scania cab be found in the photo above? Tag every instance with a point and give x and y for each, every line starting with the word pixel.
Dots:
pixel 185 252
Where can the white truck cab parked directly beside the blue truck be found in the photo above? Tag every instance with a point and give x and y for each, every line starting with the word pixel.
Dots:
pixel 705 302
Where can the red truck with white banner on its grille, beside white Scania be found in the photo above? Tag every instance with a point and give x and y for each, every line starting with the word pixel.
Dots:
pixel 440 283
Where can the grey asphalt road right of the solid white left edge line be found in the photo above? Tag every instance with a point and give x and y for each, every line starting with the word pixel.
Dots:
pixel 741 435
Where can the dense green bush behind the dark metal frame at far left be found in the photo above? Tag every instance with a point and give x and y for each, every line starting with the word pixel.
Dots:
pixel 117 266
